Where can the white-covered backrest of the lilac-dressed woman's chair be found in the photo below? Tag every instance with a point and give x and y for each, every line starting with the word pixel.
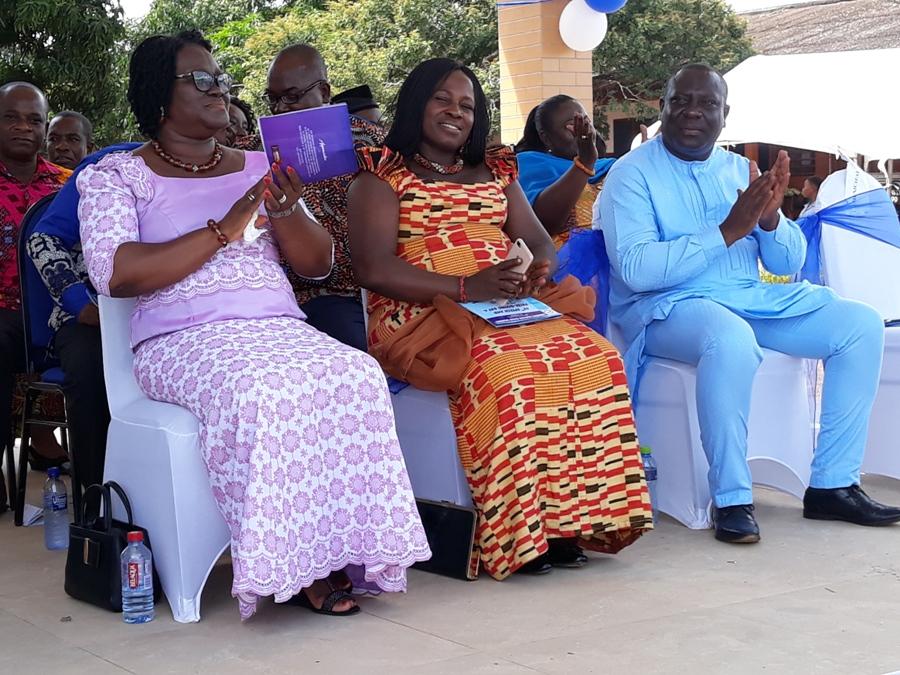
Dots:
pixel 118 360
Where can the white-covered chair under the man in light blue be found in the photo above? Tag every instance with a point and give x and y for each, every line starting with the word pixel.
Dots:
pixel 780 434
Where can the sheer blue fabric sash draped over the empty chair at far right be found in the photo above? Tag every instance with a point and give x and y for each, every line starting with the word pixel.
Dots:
pixel 869 213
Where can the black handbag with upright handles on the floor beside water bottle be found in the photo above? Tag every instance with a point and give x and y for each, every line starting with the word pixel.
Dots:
pixel 93 572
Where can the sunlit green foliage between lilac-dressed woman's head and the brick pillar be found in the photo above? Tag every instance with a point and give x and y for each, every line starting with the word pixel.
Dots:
pixel 367 41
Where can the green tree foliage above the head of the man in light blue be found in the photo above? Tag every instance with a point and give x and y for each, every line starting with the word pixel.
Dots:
pixel 649 39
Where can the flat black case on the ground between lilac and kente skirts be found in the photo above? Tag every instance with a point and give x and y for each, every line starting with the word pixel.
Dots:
pixel 451 534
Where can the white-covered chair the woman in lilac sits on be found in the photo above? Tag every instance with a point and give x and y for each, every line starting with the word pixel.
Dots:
pixel 153 452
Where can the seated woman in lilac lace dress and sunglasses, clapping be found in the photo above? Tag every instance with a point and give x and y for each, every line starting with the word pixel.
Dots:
pixel 296 429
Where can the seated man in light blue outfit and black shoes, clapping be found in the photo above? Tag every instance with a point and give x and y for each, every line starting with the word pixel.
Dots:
pixel 685 224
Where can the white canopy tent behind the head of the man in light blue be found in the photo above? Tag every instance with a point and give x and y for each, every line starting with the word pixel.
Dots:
pixel 837 102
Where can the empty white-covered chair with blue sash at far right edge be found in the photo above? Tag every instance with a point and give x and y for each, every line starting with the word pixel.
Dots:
pixel 865 269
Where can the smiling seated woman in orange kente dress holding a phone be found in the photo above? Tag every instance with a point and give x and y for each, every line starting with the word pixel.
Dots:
pixel 544 425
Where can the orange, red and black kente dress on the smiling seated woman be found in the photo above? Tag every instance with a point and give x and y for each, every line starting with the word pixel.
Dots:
pixel 543 421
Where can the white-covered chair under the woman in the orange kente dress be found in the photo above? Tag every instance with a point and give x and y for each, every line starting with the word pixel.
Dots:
pixel 428 442
